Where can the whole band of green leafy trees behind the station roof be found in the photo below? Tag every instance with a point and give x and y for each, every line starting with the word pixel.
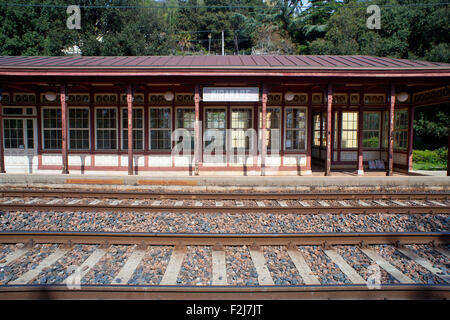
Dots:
pixel 250 26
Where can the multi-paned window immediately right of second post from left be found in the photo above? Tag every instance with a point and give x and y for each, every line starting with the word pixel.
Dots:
pixel 78 128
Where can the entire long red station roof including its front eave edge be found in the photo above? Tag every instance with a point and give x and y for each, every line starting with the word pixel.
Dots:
pixel 230 66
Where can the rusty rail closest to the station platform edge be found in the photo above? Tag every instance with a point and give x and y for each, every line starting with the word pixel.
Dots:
pixel 222 196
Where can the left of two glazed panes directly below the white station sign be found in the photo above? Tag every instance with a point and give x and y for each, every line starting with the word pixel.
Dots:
pixel 215 127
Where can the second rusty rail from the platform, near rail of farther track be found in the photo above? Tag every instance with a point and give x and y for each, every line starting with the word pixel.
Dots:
pixel 429 209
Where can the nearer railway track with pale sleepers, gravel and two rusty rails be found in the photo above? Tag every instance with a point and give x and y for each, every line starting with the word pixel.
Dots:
pixel 229 266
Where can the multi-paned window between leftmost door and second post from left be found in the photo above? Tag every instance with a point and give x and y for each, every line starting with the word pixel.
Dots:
pixel 51 127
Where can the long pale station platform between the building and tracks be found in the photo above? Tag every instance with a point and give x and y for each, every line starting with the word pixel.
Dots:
pixel 338 181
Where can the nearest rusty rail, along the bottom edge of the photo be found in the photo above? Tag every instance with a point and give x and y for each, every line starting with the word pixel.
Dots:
pixel 410 292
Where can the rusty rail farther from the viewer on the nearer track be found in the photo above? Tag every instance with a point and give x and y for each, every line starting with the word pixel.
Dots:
pixel 251 239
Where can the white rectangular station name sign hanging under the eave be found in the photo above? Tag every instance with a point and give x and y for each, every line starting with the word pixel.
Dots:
pixel 231 94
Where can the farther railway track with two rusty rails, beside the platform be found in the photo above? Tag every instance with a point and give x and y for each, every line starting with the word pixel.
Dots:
pixel 307 203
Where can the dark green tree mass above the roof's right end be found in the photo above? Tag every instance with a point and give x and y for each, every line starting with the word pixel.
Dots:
pixel 407 31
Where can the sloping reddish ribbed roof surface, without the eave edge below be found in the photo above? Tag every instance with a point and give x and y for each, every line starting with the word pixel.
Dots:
pixel 218 62
